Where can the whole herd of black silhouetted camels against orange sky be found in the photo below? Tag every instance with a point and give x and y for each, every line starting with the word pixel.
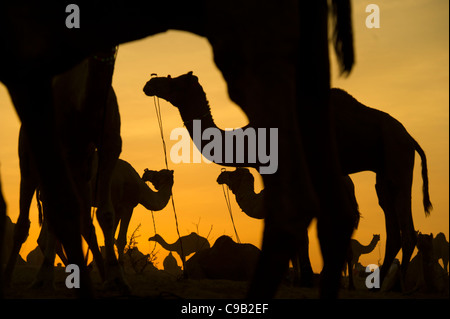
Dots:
pixel 60 82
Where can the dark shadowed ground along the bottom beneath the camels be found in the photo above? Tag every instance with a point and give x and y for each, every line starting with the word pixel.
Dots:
pixel 158 284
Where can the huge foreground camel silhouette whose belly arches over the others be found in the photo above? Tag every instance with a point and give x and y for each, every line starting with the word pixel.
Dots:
pixel 269 53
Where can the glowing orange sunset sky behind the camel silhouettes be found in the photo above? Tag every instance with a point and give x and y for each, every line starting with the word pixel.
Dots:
pixel 401 68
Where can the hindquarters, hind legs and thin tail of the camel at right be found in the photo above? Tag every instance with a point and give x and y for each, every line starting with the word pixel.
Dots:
pixel 369 139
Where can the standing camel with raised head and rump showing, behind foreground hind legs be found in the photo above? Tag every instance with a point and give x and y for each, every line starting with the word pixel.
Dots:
pixel 367 140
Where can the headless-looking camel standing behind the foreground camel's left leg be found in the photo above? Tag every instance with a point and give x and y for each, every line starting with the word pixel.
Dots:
pixel 83 99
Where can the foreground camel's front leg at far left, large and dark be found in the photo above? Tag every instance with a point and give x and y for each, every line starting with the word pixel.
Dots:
pixel 34 104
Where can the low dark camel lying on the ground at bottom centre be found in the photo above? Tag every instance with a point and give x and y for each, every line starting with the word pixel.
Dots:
pixel 224 260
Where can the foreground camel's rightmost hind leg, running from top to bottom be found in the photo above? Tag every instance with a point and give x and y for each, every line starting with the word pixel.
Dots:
pixel 335 219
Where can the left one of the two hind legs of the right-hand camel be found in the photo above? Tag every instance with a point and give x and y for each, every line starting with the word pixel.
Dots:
pixel 393 238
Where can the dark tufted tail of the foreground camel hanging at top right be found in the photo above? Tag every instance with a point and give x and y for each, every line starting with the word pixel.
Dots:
pixel 341 15
